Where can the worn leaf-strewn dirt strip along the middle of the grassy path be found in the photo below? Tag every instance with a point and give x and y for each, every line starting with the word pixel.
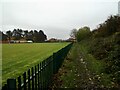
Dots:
pixel 85 76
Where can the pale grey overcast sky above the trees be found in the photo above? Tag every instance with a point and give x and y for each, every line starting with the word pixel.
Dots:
pixel 55 17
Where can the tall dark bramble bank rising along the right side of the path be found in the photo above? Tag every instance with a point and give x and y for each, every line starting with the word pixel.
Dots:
pixel 105 45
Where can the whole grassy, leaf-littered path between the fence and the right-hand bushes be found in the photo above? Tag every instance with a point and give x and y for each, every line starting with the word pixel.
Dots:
pixel 75 73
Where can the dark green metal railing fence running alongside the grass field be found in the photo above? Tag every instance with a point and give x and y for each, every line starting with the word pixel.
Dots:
pixel 40 76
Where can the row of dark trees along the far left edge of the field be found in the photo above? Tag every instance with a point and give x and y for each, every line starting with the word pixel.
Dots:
pixel 19 34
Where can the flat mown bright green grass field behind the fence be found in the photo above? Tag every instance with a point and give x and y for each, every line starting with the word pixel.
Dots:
pixel 17 58
